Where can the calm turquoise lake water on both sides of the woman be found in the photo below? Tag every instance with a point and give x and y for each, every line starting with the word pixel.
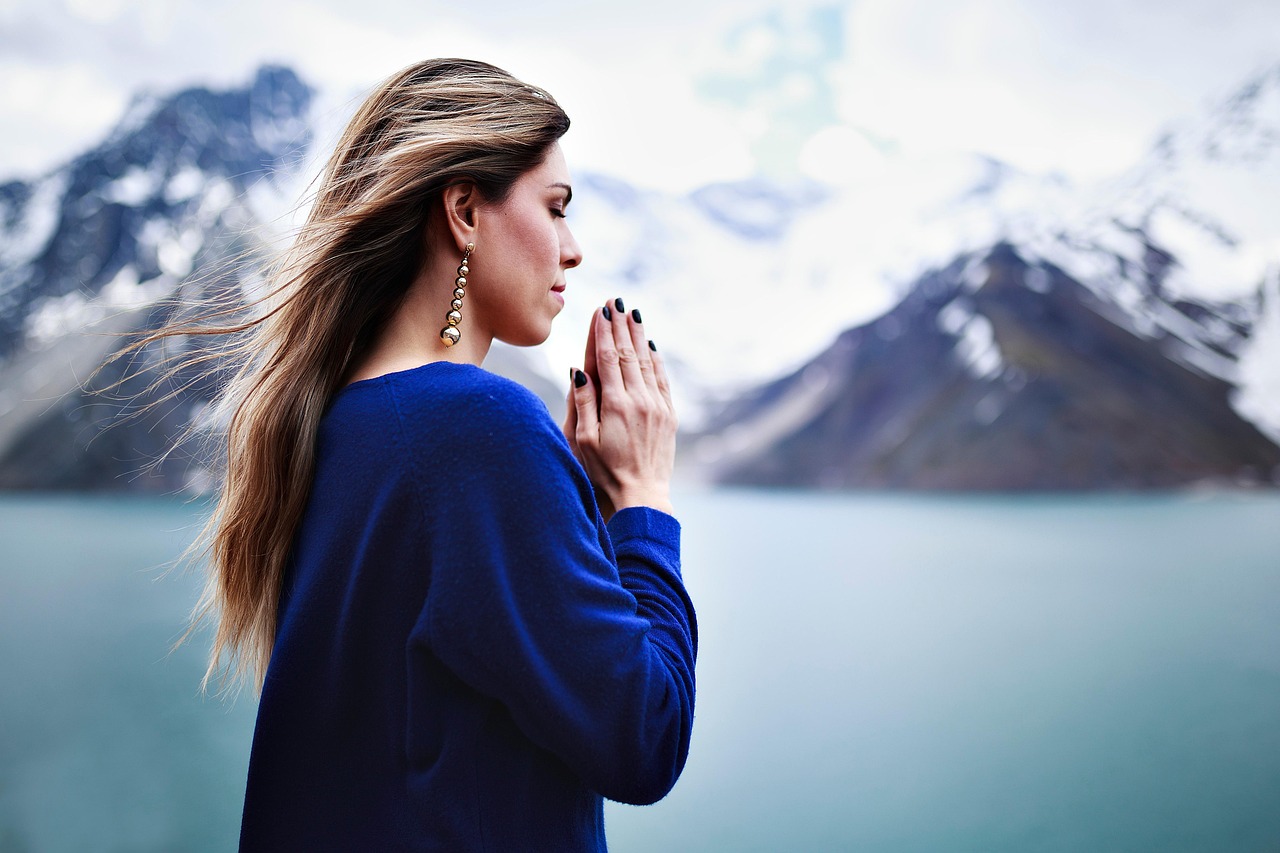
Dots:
pixel 877 673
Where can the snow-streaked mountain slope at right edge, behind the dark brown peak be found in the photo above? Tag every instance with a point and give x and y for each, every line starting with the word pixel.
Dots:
pixel 1187 247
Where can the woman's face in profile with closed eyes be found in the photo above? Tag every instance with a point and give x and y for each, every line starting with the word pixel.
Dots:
pixel 523 249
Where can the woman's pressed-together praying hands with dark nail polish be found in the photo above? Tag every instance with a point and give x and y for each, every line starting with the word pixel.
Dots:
pixel 621 422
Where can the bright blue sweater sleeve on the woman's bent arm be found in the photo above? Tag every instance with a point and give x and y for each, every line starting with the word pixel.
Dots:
pixel 587 638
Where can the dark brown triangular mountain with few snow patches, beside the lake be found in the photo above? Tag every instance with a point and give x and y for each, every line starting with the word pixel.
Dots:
pixel 1066 399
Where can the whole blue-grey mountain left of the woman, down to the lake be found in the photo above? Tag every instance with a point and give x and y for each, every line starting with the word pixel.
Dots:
pixel 107 239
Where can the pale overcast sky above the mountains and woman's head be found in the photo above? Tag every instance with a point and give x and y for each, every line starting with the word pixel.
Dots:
pixel 676 94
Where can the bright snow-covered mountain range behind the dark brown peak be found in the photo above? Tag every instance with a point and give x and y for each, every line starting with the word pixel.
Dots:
pixel 751 295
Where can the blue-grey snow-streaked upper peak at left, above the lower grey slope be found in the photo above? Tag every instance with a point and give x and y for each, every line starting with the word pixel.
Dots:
pixel 130 217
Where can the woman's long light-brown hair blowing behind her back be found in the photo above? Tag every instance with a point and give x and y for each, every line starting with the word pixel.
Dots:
pixel 431 126
